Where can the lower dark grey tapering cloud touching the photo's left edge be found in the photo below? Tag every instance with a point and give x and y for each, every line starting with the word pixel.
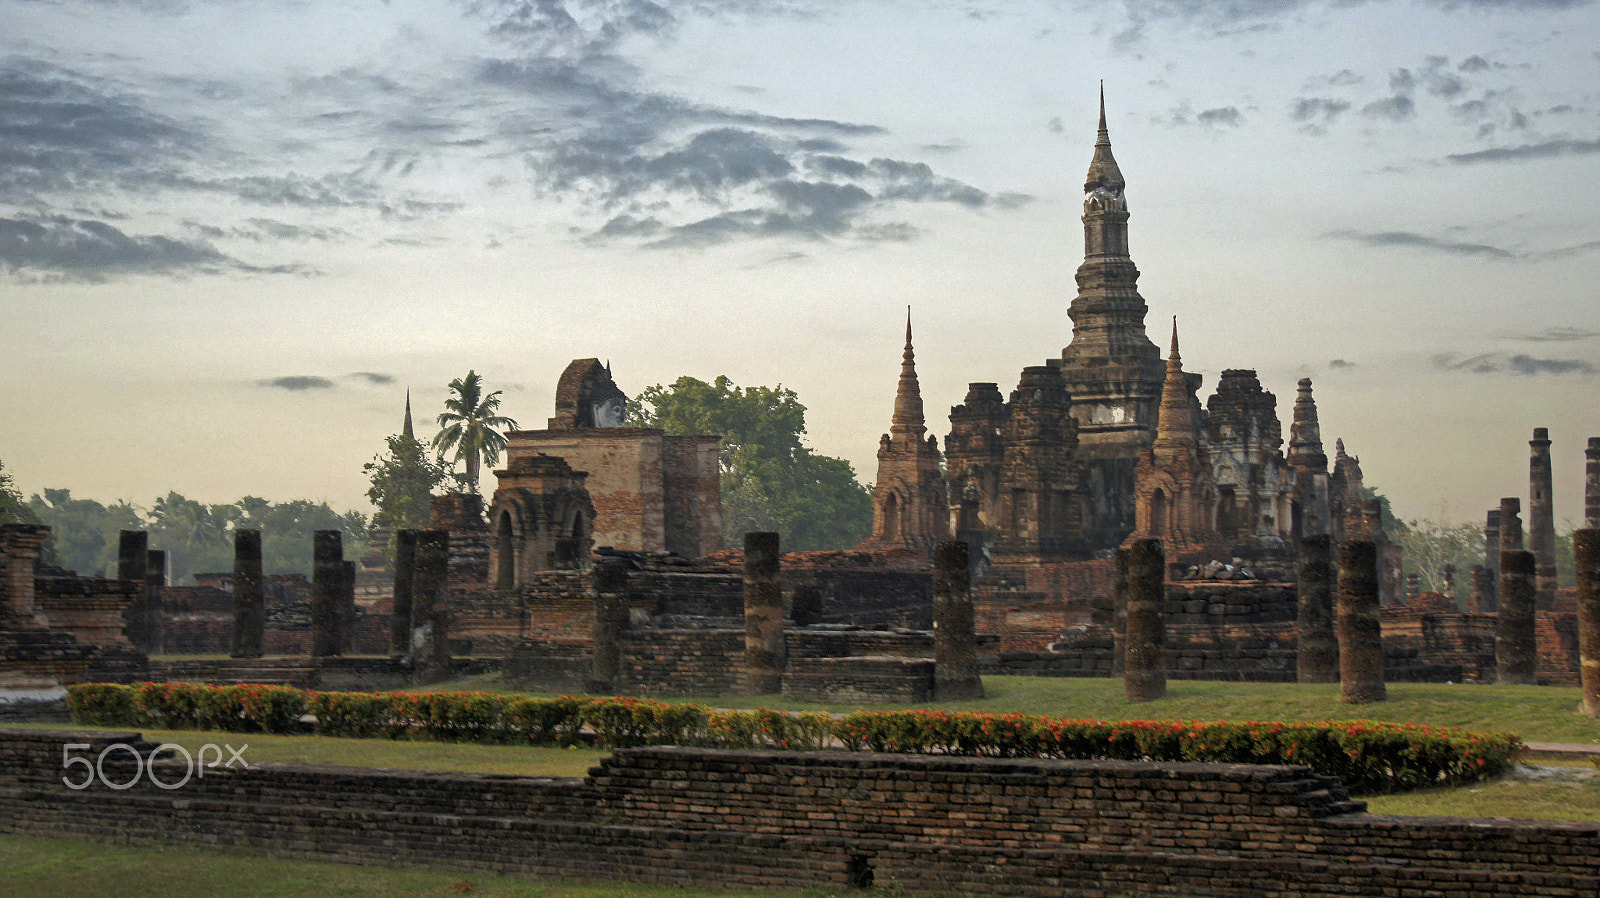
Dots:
pixel 63 249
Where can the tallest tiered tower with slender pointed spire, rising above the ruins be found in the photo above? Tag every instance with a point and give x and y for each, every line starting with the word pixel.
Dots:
pixel 1113 371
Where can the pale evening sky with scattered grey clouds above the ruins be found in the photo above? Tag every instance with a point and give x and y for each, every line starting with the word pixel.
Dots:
pixel 236 233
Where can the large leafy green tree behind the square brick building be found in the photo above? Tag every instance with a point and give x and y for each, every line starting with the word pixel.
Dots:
pixel 770 479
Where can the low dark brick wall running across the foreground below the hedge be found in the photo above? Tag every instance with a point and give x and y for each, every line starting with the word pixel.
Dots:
pixel 746 819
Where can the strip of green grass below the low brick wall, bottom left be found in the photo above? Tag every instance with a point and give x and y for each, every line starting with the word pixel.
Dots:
pixel 79 868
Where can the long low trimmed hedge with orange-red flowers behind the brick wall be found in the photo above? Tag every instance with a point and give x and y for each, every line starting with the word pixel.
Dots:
pixel 1367 756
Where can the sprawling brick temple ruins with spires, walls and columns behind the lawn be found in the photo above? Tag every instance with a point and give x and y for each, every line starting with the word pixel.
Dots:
pixel 1095 451
